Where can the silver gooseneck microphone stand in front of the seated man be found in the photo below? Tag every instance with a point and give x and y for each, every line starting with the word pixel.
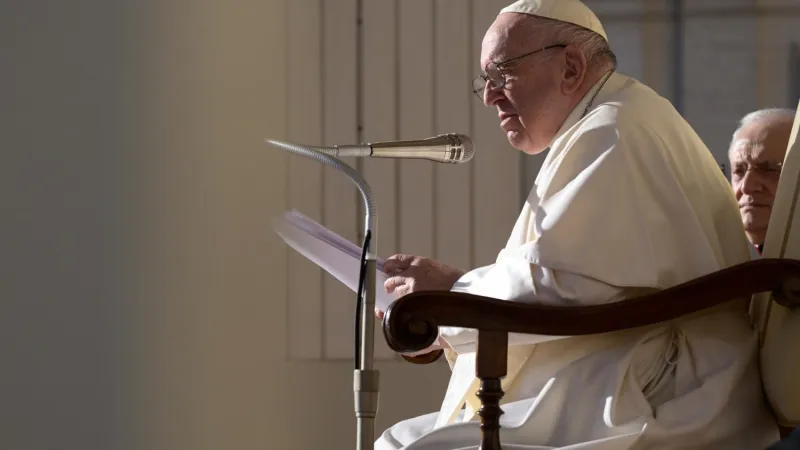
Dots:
pixel 366 380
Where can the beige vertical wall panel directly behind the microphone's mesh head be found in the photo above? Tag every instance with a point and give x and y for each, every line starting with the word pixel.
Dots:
pixel 453 209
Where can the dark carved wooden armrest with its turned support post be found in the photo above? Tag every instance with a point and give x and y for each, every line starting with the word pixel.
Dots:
pixel 411 323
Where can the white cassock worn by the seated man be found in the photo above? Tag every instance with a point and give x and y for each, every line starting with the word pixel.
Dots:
pixel 628 200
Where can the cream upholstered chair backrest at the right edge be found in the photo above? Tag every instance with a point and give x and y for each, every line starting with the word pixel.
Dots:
pixel 779 327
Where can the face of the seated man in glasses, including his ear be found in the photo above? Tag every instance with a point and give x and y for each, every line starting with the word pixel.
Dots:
pixel 539 92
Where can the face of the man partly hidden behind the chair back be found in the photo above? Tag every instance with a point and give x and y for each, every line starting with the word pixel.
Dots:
pixel 756 156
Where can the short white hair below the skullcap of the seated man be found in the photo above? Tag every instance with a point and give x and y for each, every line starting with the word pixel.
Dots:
pixel 594 47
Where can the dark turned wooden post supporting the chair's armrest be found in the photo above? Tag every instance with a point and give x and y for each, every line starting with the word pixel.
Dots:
pixel 490 368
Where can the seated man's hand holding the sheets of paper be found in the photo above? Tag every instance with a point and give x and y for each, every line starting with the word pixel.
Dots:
pixel 409 274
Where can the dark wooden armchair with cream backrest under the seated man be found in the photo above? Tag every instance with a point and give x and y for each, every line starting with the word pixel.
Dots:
pixel 411 323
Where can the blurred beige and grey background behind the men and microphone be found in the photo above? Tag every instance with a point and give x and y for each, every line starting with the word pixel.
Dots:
pixel 145 302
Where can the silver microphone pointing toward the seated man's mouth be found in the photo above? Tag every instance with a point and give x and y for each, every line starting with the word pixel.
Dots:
pixel 445 148
